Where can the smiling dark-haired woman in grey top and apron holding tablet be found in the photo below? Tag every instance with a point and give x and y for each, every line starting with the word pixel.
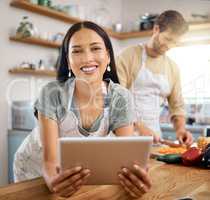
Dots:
pixel 82 102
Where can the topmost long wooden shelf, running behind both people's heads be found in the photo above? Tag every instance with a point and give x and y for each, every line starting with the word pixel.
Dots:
pixel 24 4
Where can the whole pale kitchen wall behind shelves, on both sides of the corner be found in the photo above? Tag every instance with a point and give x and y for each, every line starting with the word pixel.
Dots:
pixel 12 53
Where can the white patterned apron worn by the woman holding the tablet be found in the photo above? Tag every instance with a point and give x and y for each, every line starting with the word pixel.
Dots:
pixel 28 158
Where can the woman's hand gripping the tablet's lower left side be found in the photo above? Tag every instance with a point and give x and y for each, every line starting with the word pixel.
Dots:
pixel 68 181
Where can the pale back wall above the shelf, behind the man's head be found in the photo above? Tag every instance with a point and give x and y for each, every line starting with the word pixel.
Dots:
pixel 139 7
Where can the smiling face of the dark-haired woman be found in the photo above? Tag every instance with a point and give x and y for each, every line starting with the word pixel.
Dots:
pixel 88 56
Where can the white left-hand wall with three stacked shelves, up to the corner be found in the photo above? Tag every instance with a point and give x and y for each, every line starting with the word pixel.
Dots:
pixel 17 87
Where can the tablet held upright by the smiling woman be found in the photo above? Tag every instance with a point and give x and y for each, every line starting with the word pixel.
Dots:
pixel 104 156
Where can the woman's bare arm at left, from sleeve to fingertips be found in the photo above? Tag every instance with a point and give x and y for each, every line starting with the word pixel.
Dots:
pixel 63 182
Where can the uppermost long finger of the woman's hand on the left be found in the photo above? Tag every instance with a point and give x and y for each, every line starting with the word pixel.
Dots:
pixel 65 174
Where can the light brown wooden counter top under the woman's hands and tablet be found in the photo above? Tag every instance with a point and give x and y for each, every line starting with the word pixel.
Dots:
pixel 170 182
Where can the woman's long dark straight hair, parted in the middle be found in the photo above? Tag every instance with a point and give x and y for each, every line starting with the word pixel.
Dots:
pixel 62 62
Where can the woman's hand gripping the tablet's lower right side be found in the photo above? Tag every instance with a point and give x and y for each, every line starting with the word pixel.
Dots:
pixel 135 182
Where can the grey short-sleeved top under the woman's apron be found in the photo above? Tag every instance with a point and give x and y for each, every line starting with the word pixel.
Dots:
pixel 54 98
